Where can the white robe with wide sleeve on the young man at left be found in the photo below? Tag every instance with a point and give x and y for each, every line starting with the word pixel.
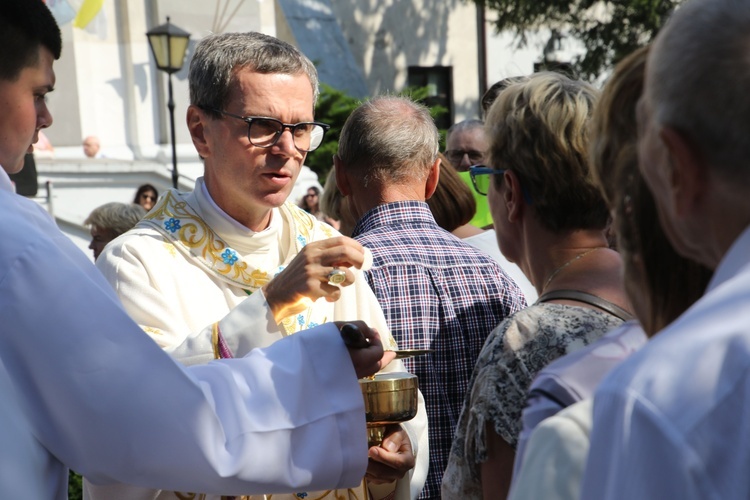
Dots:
pixel 77 385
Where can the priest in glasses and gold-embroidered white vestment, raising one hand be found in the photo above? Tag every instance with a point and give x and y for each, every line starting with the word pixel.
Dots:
pixel 231 266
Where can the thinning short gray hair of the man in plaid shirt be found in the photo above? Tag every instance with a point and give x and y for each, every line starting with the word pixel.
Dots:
pixel 389 139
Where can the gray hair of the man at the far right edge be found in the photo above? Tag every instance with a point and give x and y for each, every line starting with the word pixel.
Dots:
pixel 698 76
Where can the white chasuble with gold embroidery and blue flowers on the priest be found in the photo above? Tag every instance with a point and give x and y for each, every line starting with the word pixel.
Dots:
pixel 188 272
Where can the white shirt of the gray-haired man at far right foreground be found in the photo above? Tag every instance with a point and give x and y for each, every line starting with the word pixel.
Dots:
pixel 673 420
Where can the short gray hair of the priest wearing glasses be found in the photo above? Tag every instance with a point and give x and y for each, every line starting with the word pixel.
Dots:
pixel 218 57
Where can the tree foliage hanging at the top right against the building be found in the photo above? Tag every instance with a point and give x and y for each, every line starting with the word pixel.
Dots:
pixel 608 29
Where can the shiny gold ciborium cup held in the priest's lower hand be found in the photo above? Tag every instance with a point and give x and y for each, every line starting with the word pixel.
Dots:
pixel 390 398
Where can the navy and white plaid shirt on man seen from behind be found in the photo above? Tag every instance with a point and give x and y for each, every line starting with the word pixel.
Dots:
pixel 438 293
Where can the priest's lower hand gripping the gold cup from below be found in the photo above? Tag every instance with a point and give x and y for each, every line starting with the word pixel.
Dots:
pixel 392 459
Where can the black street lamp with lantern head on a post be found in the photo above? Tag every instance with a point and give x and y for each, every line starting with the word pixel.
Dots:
pixel 169 45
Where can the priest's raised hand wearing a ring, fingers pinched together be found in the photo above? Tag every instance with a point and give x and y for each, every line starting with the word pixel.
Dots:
pixel 319 270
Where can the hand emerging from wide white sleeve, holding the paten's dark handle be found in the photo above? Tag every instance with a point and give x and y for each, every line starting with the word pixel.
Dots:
pixel 365 347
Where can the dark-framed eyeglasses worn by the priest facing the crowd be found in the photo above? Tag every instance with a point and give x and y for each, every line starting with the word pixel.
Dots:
pixel 264 132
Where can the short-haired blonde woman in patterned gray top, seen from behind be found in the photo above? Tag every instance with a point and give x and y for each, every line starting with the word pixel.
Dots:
pixel 550 219
